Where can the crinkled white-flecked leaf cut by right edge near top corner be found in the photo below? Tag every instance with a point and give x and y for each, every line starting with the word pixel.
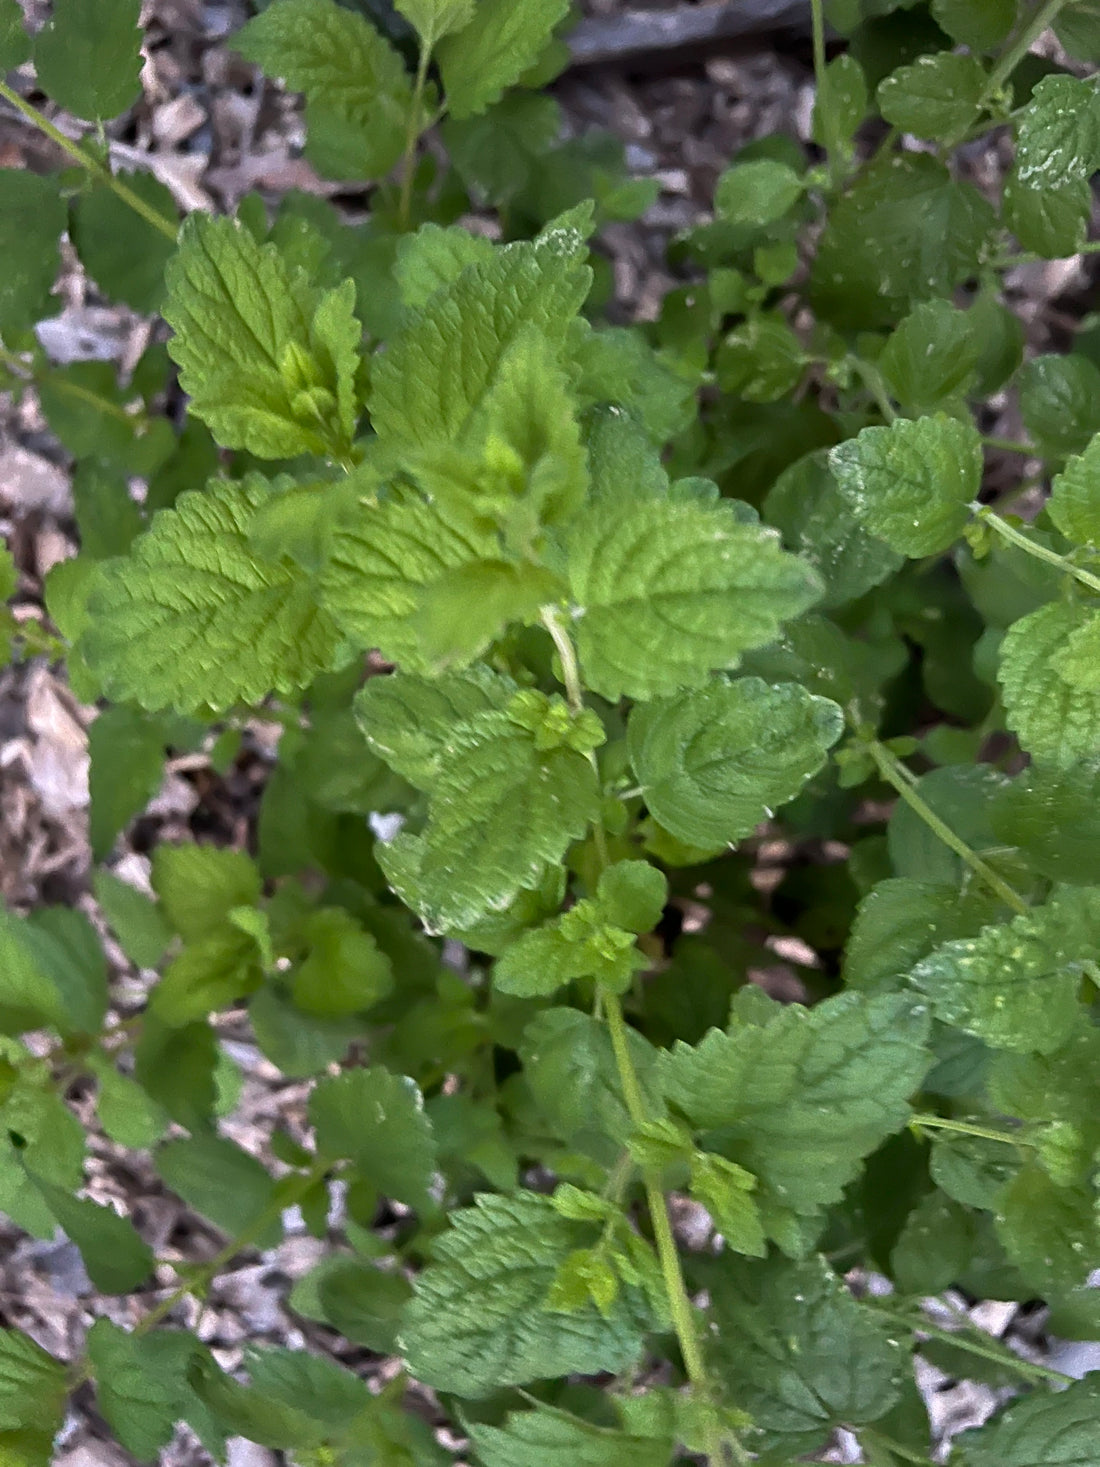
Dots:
pixel 1060 133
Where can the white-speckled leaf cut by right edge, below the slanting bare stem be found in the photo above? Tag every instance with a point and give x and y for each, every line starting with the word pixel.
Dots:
pixel 1016 984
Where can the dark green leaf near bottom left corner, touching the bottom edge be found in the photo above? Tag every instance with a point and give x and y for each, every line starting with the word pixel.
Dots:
pixel 142 1387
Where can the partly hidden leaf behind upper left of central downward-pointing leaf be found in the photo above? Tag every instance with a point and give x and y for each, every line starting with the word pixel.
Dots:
pixel 407 721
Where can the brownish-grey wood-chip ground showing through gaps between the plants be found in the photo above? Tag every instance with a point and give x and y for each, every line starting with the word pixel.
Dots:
pixel 212 131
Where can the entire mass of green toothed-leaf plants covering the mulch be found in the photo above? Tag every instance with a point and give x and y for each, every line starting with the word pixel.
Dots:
pixel 583 611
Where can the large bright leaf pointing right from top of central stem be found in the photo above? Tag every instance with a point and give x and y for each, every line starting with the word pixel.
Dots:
pixel 668 590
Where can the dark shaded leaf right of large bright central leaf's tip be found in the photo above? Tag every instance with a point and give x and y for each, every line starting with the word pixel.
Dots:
pixel 815 519
